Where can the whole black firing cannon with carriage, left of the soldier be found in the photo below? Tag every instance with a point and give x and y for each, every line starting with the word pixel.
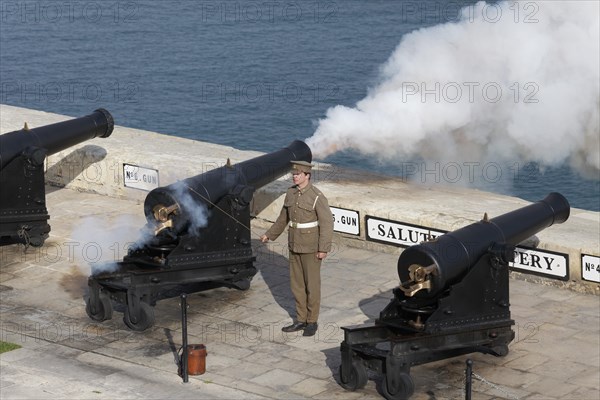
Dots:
pixel 198 231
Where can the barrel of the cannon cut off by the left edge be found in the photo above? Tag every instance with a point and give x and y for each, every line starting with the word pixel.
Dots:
pixel 56 137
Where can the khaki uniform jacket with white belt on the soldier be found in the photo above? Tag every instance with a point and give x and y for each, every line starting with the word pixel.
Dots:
pixel 302 206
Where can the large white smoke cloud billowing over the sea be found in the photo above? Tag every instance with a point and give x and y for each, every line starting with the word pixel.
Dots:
pixel 508 81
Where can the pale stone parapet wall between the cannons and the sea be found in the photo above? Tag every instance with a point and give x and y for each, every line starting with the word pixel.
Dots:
pixel 97 166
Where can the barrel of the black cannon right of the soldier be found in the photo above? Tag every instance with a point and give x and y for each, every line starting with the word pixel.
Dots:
pixel 446 259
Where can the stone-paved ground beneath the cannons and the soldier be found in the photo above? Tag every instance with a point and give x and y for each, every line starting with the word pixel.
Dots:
pixel 65 355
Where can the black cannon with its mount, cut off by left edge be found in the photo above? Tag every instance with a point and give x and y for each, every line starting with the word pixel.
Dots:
pixel 23 213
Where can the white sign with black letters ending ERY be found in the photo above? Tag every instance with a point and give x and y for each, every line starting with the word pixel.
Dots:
pixel 542 262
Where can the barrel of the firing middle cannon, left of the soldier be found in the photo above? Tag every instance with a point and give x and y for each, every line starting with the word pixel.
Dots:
pixel 175 205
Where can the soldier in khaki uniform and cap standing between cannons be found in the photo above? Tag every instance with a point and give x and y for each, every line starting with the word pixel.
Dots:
pixel 306 211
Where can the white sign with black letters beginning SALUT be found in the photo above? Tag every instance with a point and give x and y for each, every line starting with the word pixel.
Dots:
pixel 398 234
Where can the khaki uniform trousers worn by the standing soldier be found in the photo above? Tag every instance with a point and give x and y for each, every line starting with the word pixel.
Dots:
pixel 305 281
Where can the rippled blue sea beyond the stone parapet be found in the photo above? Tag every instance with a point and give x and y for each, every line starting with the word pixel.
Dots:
pixel 248 74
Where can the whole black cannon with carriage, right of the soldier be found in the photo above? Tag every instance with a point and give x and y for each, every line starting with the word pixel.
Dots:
pixel 453 299
